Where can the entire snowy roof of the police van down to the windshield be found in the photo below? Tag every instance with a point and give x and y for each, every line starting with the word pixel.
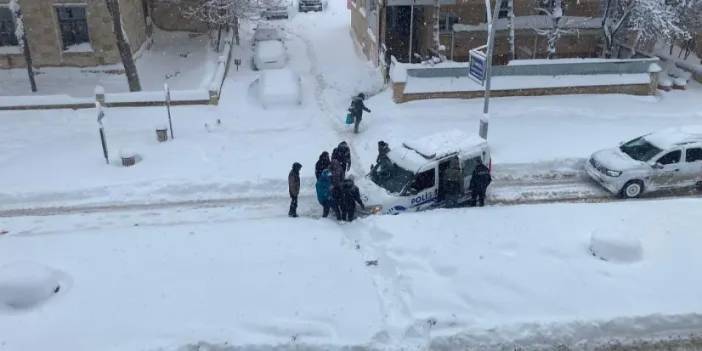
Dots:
pixel 413 155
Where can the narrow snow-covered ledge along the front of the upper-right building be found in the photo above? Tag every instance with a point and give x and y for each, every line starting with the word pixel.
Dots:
pixel 534 22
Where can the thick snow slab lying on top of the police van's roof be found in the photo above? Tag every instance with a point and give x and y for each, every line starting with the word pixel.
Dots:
pixel 438 145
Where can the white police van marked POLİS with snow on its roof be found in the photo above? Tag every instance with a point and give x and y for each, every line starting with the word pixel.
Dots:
pixel 412 177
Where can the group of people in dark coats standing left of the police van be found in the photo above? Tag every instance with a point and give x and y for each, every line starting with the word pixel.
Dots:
pixel 335 190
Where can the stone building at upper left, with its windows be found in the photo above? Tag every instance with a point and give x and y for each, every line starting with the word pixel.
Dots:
pixel 79 32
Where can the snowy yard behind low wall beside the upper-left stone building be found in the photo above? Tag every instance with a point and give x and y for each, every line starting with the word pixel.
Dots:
pixel 184 61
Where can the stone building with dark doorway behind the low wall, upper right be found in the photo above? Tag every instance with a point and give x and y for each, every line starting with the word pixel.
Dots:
pixel 392 24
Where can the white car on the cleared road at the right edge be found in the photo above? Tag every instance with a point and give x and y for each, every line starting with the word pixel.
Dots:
pixel 667 159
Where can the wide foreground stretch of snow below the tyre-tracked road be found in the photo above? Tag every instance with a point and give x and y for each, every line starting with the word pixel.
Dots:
pixel 247 275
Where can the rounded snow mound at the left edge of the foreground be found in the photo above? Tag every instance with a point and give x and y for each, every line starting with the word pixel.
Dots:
pixel 24 285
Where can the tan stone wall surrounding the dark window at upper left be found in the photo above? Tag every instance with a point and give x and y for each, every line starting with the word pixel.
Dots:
pixel 44 36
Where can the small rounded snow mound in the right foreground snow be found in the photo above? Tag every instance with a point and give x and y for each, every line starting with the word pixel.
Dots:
pixel 615 246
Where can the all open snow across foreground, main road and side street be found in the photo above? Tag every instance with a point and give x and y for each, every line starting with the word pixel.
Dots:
pixel 240 273
